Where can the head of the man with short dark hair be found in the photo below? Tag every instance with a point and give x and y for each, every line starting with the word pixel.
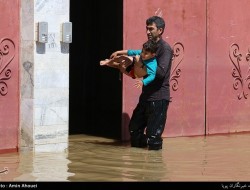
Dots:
pixel 155 26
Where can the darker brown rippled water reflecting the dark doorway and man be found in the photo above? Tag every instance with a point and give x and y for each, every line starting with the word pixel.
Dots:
pixel 107 160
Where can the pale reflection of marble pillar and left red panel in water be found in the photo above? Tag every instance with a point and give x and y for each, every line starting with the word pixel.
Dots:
pixel 28 166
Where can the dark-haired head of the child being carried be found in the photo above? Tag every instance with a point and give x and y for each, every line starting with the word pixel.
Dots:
pixel 149 49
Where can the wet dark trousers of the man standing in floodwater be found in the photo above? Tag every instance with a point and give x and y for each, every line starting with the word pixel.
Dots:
pixel 152 117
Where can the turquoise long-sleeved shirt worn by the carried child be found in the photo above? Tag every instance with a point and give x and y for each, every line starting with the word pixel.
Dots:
pixel 151 66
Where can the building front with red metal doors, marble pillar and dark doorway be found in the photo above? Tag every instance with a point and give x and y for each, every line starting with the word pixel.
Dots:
pixel 209 80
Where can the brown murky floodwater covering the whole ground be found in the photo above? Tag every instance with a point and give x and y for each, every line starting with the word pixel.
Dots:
pixel 95 159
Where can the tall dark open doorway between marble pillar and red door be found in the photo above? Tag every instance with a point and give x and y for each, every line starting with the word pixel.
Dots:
pixel 95 94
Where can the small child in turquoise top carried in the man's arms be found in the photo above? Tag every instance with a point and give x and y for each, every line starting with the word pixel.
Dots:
pixel 146 61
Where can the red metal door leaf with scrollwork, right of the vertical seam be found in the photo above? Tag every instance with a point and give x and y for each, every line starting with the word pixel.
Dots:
pixel 228 66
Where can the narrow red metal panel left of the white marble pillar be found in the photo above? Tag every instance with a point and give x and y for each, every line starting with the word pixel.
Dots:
pixel 9 75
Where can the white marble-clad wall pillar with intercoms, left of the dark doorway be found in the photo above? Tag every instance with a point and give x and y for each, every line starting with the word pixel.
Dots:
pixel 44 77
